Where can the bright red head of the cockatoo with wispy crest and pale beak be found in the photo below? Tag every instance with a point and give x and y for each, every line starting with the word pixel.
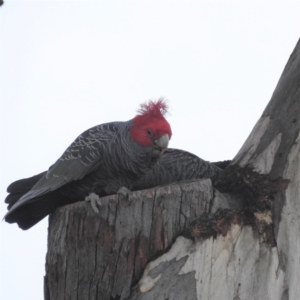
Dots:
pixel 150 128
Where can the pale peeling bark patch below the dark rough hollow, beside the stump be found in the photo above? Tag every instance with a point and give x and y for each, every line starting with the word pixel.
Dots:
pixel 236 266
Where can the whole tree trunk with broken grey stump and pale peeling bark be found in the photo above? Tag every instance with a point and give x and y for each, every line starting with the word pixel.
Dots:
pixel 238 240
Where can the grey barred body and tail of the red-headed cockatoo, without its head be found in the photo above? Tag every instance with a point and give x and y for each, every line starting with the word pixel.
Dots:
pixel 101 160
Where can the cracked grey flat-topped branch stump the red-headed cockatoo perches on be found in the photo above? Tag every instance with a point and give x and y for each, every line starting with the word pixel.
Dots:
pixel 101 256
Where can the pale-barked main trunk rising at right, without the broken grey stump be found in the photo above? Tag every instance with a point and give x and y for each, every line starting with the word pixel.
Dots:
pixel 240 264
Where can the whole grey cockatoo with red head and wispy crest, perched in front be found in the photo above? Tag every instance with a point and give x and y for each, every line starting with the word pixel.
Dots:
pixel 101 160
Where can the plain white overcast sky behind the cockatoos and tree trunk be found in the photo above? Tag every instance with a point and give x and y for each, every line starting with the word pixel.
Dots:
pixel 67 66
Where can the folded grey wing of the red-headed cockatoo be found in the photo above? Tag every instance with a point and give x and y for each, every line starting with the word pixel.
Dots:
pixel 82 157
